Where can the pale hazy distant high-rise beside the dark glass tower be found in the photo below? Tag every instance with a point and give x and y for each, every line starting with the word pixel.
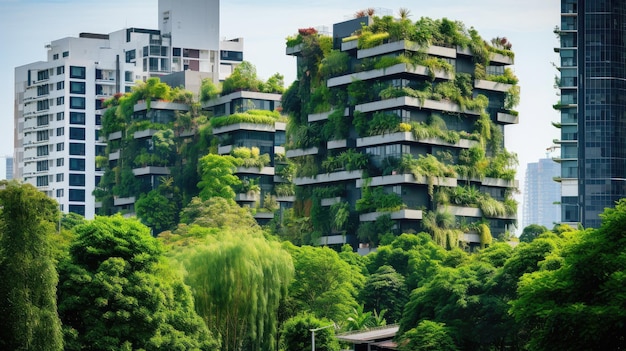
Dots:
pixel 542 194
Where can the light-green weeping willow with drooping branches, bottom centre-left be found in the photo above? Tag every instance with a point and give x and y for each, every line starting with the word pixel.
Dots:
pixel 238 283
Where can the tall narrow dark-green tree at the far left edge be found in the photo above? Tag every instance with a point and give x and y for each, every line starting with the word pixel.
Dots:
pixel 28 291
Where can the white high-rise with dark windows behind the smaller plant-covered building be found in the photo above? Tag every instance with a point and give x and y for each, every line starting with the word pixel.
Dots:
pixel 58 101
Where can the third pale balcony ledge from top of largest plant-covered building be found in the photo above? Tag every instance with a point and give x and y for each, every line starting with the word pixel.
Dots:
pixel 396 103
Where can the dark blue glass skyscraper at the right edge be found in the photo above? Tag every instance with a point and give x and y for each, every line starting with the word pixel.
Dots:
pixel 593 108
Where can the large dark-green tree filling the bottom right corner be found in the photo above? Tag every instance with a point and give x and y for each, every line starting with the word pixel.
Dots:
pixel 579 302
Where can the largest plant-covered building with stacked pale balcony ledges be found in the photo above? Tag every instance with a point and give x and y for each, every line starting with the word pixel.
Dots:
pixel 398 126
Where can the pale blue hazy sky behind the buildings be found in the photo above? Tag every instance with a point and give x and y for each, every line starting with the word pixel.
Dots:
pixel 26 26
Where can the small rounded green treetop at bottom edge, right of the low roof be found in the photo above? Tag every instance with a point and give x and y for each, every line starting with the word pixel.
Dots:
pixel 427 336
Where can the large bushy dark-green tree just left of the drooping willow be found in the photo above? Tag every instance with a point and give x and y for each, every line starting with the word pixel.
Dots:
pixel 117 292
